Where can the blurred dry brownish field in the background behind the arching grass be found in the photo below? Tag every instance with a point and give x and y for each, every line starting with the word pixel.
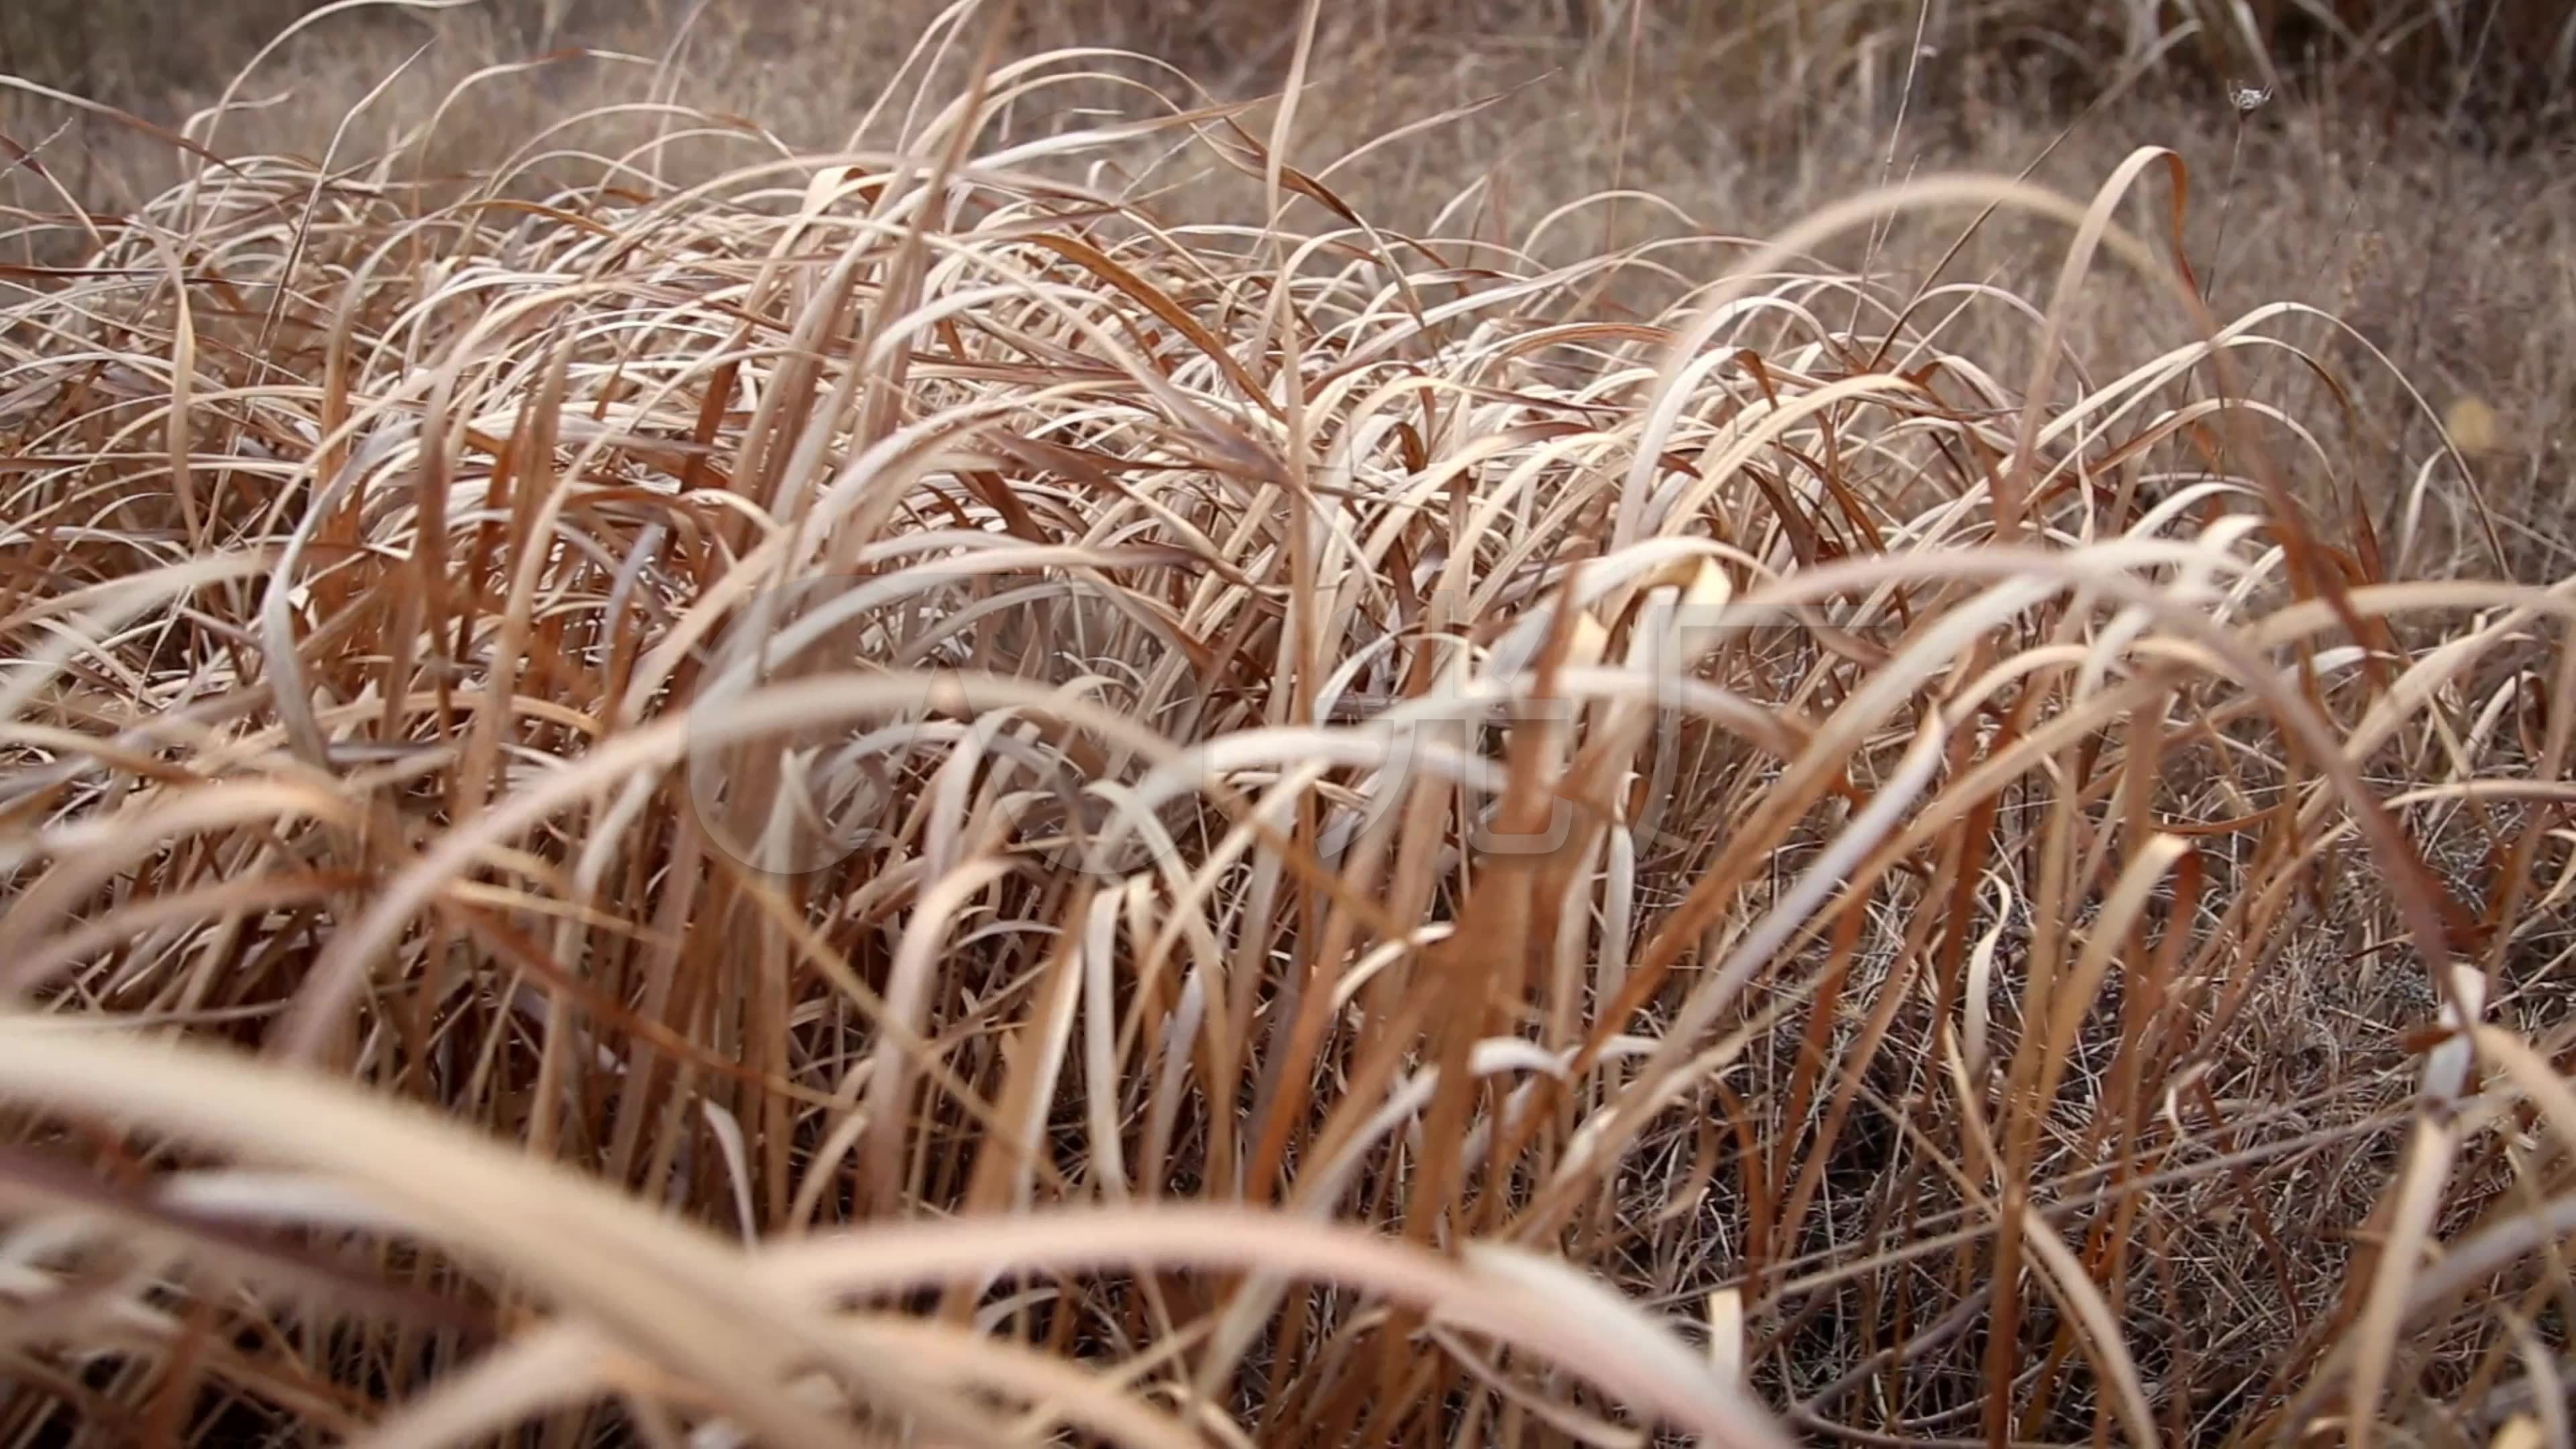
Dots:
pixel 2428 208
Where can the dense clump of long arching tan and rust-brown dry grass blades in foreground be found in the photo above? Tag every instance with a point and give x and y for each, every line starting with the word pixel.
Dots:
pixel 988 790
